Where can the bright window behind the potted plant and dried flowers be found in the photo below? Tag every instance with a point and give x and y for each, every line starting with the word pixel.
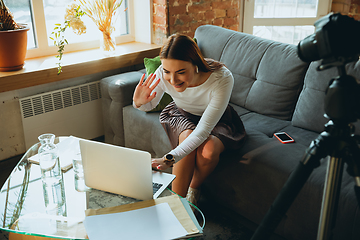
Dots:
pixel 42 15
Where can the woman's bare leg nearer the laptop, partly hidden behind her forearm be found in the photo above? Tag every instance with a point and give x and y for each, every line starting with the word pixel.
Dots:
pixel 183 169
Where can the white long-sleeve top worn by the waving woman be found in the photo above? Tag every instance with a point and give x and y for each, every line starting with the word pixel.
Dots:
pixel 208 100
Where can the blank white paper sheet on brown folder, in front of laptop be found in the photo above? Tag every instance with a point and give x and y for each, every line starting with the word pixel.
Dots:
pixel 153 223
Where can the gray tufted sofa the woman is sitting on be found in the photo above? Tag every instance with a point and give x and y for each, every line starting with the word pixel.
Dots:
pixel 274 91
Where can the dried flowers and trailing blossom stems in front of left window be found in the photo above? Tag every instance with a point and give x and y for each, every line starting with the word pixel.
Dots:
pixel 100 11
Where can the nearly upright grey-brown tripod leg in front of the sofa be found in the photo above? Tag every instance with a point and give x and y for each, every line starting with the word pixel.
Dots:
pixel 330 198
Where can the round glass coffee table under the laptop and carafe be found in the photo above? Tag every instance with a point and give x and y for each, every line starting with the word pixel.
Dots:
pixel 22 205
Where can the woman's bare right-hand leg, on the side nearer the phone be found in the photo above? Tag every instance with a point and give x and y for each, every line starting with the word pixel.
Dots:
pixel 207 158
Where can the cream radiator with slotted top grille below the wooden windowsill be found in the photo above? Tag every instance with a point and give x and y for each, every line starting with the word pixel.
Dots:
pixel 72 111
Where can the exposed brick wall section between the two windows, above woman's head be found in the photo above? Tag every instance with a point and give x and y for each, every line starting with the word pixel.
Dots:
pixel 184 16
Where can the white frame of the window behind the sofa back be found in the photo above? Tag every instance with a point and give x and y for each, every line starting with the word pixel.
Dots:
pixel 324 7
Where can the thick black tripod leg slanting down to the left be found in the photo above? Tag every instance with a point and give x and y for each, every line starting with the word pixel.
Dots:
pixel 290 190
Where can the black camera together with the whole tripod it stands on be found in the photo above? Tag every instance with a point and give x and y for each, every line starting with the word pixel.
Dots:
pixel 336 43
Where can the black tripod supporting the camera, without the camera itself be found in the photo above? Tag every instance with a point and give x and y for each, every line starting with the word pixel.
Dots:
pixel 338 142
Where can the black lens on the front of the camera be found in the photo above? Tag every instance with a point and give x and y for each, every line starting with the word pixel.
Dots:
pixel 307 49
